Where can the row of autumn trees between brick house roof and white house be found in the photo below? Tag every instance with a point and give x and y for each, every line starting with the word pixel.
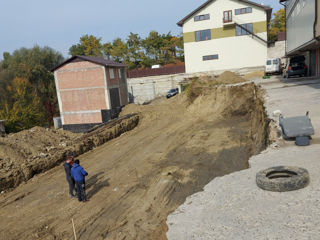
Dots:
pixel 134 51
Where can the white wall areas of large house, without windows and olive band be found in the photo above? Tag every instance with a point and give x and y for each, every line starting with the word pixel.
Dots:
pixel 234 52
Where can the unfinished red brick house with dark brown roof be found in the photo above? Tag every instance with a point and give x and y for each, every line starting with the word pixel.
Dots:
pixel 90 91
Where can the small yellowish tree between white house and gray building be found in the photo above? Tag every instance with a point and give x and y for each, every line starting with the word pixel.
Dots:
pixel 278 24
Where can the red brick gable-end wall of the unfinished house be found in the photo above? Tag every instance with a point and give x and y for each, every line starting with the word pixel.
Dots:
pixel 82 88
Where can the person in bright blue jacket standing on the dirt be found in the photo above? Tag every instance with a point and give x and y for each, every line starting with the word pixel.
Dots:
pixel 78 173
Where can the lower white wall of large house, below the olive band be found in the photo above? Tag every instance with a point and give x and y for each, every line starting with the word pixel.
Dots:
pixel 234 52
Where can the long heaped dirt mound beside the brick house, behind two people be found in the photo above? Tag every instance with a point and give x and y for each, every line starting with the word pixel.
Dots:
pixel 29 152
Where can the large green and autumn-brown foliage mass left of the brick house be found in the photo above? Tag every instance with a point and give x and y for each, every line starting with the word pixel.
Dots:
pixel 27 88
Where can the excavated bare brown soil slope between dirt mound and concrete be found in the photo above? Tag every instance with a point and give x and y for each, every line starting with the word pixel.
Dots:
pixel 137 179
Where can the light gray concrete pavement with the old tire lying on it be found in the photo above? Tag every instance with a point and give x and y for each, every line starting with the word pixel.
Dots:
pixel 233 207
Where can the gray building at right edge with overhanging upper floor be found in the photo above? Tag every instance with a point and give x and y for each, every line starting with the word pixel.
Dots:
pixel 303 31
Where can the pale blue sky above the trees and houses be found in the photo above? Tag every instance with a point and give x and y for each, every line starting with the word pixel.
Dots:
pixel 59 24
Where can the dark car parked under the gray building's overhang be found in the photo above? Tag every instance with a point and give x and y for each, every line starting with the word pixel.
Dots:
pixel 296 67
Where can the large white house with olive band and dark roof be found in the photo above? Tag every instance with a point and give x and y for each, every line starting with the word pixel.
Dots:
pixel 225 34
